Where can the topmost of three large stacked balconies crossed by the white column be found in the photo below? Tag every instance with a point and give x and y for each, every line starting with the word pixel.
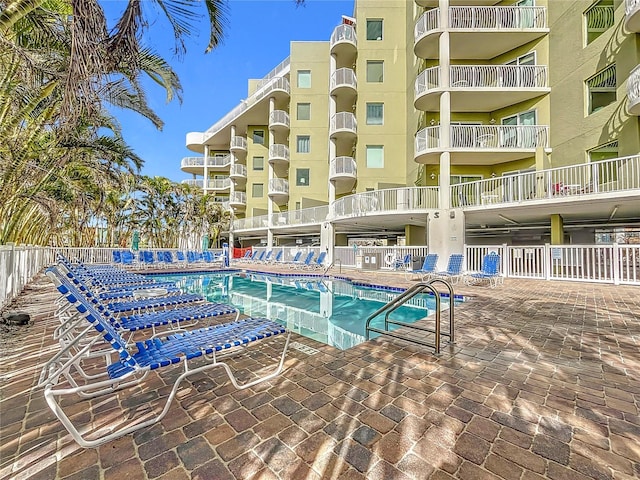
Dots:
pixel 509 27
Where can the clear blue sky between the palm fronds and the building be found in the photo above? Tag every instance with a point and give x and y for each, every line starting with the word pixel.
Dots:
pixel 257 39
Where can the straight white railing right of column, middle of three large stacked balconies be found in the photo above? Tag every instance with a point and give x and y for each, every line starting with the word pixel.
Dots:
pixel 499 76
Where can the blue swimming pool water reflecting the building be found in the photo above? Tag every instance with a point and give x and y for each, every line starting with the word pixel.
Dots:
pixel 328 310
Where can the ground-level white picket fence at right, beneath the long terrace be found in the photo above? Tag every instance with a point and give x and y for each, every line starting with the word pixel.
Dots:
pixel 614 263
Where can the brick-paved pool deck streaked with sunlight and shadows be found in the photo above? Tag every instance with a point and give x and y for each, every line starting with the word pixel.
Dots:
pixel 543 382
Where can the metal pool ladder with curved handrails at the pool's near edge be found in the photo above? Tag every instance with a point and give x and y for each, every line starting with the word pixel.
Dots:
pixel 417 289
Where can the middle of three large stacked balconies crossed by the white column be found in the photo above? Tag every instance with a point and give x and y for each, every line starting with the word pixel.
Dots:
pixel 481 88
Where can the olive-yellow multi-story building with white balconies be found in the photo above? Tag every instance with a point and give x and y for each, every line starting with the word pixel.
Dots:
pixel 439 122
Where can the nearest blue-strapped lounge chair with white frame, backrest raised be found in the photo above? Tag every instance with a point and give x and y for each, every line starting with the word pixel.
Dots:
pixel 96 333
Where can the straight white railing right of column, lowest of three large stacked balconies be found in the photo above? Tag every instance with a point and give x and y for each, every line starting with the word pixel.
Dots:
pixel 499 136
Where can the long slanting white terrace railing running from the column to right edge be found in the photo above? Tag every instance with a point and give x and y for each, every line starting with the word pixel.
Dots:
pixel 615 175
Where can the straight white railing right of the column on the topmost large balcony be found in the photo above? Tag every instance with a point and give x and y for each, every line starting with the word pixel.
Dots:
pixel 497 18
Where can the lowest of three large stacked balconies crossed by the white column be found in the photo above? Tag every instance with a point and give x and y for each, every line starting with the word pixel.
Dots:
pixel 481 144
